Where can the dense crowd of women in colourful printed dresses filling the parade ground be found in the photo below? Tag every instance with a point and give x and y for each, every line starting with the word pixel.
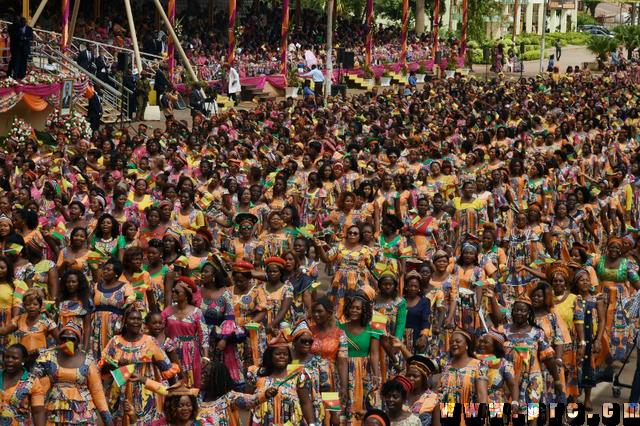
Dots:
pixel 480 232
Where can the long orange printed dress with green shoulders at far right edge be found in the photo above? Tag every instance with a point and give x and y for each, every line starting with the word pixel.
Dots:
pixel 618 299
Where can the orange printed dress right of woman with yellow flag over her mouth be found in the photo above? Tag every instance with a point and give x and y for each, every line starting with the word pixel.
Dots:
pixel 145 354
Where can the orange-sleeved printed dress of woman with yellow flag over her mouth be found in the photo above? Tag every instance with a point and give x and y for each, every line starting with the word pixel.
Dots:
pixel 74 394
